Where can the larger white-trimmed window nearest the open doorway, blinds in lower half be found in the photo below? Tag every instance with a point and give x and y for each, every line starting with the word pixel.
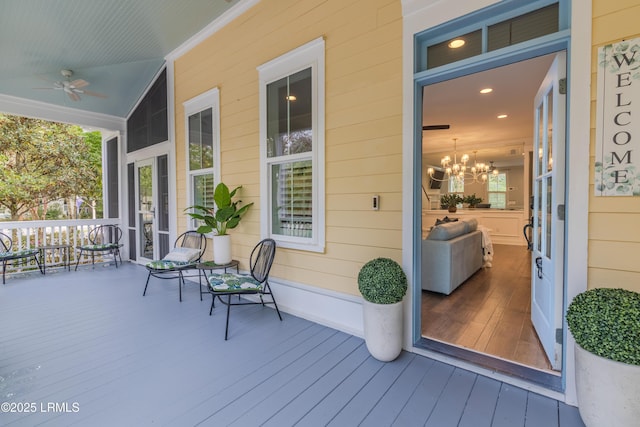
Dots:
pixel 292 147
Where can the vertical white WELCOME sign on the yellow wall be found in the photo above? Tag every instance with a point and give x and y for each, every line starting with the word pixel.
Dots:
pixel 618 120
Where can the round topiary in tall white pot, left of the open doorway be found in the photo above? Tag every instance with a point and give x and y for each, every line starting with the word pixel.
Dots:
pixel 383 285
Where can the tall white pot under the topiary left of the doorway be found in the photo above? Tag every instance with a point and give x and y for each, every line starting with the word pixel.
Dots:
pixel 383 329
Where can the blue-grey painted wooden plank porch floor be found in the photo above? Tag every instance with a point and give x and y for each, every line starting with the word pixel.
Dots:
pixel 86 348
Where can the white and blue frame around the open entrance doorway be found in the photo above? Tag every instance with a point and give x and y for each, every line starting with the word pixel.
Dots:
pixel 420 16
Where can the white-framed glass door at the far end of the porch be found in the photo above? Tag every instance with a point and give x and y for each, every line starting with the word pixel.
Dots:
pixel 146 209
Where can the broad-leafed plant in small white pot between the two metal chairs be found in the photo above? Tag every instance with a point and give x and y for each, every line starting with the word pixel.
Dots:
pixel 226 217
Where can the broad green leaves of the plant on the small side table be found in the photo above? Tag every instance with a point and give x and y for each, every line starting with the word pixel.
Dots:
pixel 227 216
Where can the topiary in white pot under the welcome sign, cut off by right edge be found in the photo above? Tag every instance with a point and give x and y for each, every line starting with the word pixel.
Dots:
pixel 605 323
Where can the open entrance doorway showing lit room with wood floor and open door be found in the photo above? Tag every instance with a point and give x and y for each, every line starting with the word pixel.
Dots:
pixel 488 318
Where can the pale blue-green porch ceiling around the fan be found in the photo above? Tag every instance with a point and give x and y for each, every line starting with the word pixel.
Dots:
pixel 117 46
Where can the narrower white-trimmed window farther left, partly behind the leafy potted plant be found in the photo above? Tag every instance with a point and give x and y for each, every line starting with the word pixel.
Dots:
pixel 202 124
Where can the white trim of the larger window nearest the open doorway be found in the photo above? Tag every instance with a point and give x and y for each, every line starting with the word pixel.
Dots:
pixel 308 55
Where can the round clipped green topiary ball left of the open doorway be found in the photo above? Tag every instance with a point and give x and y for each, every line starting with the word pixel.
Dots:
pixel 382 281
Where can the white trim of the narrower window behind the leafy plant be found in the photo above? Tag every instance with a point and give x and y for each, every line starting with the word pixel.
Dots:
pixel 209 99
